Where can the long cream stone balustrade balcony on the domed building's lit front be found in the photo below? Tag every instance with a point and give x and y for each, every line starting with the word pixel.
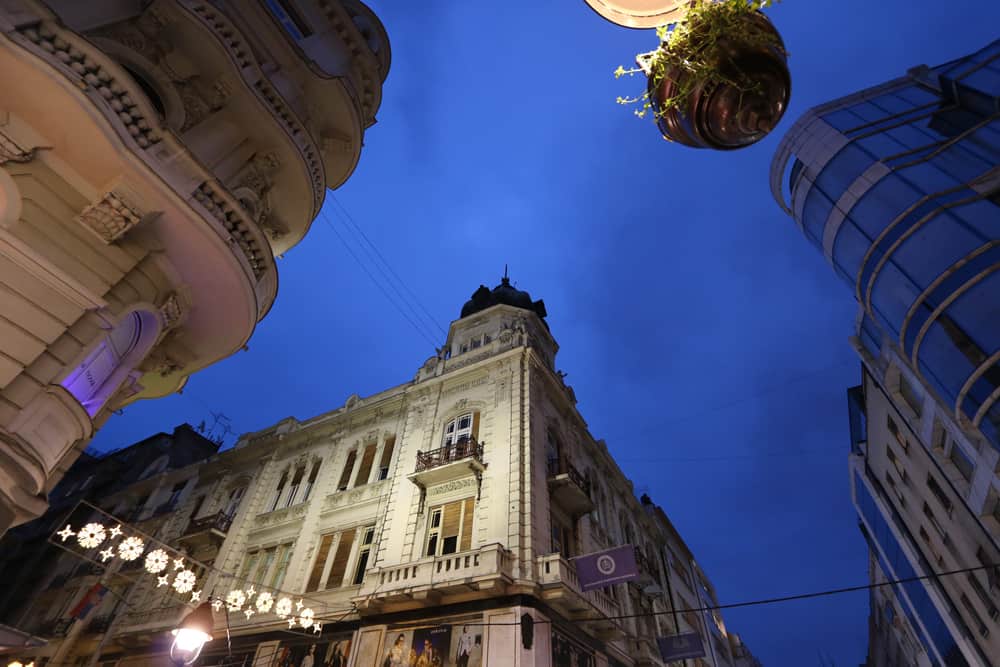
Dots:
pixel 428 580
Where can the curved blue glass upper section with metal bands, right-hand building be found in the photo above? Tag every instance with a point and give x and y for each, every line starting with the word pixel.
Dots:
pixel 899 186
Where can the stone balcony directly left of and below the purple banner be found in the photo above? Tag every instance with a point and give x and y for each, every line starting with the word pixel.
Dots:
pixel 561 589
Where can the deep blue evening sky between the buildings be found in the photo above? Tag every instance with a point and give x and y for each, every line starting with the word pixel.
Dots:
pixel 705 339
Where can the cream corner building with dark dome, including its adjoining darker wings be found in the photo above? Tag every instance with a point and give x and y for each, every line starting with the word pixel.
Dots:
pixel 434 520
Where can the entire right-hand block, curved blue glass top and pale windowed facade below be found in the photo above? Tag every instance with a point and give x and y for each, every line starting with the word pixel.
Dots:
pixel 899 187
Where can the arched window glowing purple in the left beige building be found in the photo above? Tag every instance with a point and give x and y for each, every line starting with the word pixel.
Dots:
pixel 109 362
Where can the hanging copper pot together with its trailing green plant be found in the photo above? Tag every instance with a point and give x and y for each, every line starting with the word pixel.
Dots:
pixel 719 78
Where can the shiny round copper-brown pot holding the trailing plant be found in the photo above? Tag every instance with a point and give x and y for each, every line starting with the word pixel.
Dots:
pixel 722 116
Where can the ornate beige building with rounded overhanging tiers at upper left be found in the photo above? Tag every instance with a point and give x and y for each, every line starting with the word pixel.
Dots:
pixel 155 157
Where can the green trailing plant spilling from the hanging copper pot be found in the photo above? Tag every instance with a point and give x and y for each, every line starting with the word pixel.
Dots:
pixel 687 54
